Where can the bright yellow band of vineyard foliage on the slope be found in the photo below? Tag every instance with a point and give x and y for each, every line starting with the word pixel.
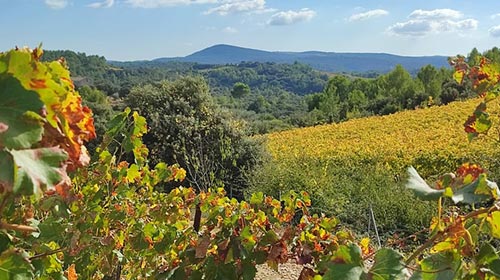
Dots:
pixel 394 140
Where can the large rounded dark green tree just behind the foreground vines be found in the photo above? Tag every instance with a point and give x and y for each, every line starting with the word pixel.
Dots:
pixel 186 127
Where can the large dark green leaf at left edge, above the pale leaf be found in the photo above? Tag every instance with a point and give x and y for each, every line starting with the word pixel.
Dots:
pixel 22 126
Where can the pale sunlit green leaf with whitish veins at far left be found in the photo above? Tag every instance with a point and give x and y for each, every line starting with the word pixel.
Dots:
pixel 39 169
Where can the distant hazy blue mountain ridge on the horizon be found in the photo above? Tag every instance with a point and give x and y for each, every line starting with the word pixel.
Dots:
pixel 324 61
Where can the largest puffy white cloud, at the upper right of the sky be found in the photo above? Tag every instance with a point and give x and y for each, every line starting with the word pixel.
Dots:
pixel 437 21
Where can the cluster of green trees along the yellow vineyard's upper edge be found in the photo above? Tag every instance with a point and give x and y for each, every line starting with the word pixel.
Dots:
pixel 345 98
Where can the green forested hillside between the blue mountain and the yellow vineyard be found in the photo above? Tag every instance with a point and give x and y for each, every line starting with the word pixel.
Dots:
pixel 272 96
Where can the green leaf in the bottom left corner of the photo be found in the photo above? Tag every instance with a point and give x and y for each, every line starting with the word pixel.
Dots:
pixel 14 265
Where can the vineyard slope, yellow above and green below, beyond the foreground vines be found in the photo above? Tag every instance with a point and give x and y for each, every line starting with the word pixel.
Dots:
pixel 360 164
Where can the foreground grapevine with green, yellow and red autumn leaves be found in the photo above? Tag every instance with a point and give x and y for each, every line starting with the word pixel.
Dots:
pixel 65 215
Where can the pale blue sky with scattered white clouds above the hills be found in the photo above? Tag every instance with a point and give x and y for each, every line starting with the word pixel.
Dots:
pixel 147 29
